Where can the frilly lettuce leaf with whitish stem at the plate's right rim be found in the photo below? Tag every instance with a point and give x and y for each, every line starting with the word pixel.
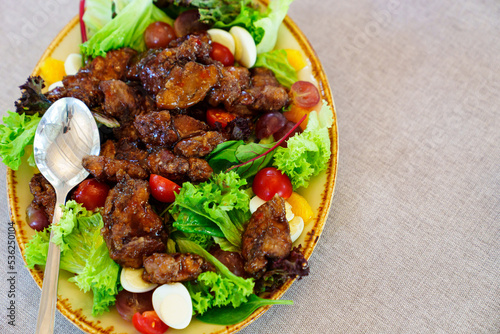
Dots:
pixel 308 153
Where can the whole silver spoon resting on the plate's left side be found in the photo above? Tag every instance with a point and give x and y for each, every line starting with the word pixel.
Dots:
pixel 66 133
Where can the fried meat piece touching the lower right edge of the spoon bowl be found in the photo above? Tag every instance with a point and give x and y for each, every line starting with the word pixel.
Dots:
pixel 106 169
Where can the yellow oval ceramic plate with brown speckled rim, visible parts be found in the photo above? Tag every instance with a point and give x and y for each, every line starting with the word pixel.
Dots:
pixel 77 306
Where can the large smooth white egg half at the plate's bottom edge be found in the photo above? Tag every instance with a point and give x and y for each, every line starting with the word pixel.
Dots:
pixel 173 305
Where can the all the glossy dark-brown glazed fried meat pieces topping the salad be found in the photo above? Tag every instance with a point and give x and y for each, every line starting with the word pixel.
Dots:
pixel 159 99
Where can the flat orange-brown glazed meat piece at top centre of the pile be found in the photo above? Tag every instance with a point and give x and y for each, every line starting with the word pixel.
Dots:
pixel 187 85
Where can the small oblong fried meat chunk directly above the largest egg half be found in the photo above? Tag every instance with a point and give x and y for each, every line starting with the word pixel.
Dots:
pixel 176 267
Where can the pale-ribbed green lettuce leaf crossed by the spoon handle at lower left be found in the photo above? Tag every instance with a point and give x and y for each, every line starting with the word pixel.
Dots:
pixel 83 252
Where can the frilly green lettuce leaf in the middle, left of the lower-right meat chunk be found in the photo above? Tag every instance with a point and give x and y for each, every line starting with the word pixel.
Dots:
pixel 220 206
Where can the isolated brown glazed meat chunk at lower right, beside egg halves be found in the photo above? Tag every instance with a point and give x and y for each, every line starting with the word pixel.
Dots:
pixel 267 236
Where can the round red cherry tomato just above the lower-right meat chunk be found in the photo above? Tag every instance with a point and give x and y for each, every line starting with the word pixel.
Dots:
pixel 270 181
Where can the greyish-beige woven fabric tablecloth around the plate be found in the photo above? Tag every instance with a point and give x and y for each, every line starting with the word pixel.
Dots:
pixel 412 242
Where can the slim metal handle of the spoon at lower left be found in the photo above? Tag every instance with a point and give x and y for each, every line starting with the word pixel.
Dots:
pixel 47 308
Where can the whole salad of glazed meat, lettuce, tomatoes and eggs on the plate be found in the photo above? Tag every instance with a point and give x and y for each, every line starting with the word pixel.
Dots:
pixel 192 209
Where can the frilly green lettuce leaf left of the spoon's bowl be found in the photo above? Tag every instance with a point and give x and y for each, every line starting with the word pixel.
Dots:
pixel 17 132
